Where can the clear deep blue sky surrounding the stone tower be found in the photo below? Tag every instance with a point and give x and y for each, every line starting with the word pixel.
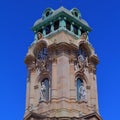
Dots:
pixel 16 20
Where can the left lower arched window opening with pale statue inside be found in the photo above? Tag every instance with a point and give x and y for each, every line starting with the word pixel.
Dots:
pixel 44 90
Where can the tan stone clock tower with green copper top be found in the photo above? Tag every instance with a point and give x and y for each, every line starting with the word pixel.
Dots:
pixel 61 63
